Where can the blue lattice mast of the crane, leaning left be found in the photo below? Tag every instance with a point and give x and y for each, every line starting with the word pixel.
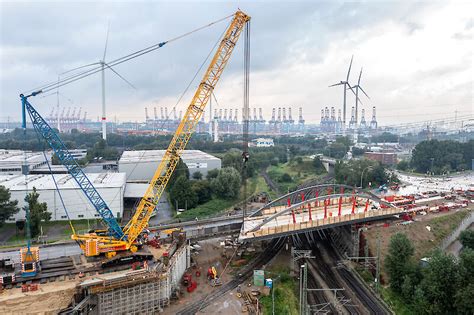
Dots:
pixel 66 159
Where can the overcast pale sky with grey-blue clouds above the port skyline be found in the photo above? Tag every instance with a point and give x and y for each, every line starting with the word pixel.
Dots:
pixel 417 57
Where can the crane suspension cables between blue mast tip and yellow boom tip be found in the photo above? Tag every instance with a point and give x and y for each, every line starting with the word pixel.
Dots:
pixel 75 77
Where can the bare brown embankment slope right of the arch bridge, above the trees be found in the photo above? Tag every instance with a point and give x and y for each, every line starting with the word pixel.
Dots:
pixel 423 239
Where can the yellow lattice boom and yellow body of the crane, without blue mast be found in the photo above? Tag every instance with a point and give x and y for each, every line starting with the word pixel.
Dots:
pixel 94 244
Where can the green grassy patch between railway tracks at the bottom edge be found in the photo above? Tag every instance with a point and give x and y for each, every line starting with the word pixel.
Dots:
pixel 286 297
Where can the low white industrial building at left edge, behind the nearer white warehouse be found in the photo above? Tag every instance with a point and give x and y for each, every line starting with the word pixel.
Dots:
pixel 12 160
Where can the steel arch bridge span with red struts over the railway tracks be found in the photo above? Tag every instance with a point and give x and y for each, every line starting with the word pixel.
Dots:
pixel 313 208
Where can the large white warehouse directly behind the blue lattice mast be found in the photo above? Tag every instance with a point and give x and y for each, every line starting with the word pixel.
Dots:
pixel 111 186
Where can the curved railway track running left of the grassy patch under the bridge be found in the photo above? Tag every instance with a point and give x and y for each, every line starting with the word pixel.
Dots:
pixel 270 252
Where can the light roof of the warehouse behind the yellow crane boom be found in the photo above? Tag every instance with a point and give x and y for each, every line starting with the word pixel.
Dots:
pixel 157 155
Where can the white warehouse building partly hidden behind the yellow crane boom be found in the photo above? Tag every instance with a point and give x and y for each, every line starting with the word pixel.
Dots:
pixel 141 165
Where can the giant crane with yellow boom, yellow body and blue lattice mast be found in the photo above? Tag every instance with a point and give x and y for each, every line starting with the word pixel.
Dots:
pixel 128 239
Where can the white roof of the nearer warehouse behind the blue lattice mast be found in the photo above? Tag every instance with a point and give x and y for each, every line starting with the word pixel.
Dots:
pixel 64 181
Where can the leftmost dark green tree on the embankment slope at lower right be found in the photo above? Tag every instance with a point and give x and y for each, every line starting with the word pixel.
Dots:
pixel 400 253
